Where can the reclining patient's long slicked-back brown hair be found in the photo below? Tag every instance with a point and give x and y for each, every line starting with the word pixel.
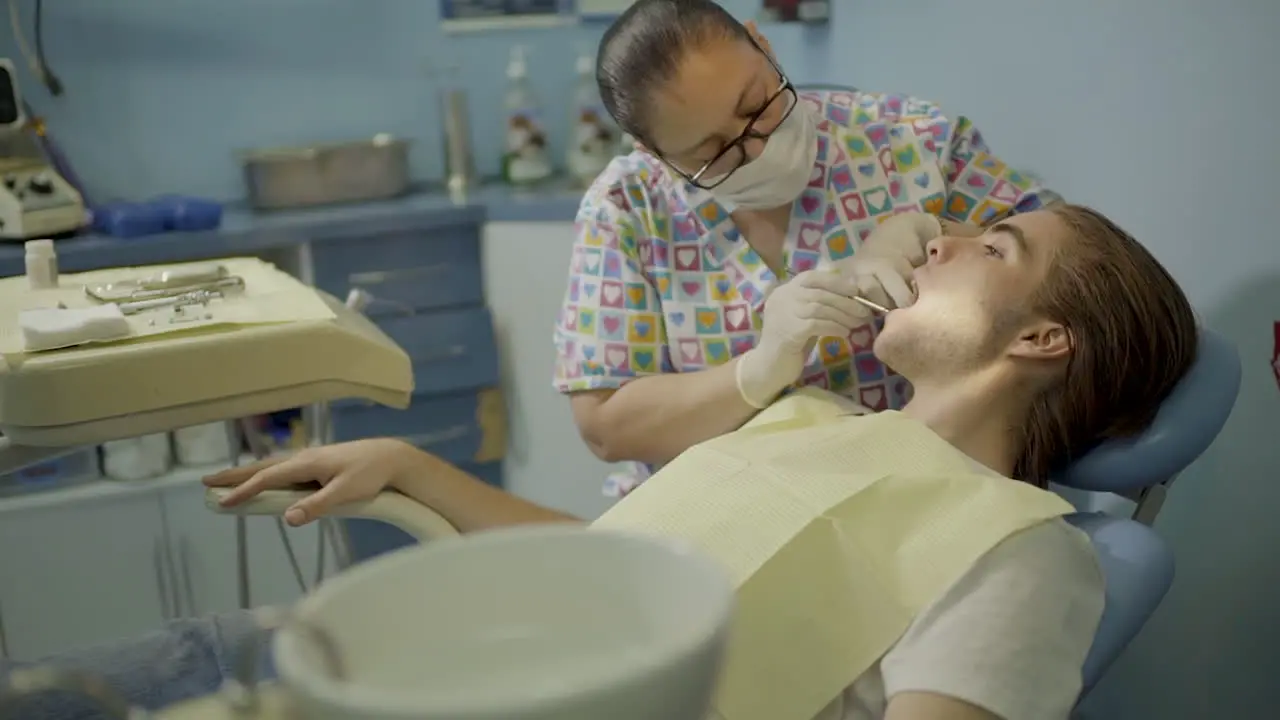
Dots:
pixel 1133 338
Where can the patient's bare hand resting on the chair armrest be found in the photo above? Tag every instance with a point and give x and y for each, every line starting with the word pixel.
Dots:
pixel 345 473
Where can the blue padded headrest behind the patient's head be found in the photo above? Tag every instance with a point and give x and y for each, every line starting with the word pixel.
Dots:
pixel 1187 425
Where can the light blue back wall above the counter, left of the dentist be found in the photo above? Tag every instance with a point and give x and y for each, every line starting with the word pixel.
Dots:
pixel 163 95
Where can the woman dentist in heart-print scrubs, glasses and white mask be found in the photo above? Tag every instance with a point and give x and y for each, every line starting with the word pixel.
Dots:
pixel 744 189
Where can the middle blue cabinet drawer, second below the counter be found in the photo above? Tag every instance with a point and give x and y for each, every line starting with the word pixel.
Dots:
pixel 451 349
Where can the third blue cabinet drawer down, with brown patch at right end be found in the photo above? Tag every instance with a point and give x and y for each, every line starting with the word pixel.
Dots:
pixel 459 429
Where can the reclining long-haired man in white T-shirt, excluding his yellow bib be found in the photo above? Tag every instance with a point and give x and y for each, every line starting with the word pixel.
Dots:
pixel 1027 347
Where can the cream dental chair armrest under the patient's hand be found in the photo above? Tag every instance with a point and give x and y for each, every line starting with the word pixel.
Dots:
pixel 390 507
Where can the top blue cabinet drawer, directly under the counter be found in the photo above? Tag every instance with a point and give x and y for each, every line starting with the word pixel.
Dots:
pixel 405 271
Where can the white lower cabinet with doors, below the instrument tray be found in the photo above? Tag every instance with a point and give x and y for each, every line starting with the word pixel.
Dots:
pixel 112 560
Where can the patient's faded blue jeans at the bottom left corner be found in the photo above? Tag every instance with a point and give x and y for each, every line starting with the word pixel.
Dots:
pixel 185 660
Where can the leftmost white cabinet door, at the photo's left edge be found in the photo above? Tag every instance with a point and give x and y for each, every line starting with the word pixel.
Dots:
pixel 80 573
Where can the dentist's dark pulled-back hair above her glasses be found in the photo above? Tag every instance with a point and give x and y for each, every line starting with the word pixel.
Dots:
pixel 644 48
